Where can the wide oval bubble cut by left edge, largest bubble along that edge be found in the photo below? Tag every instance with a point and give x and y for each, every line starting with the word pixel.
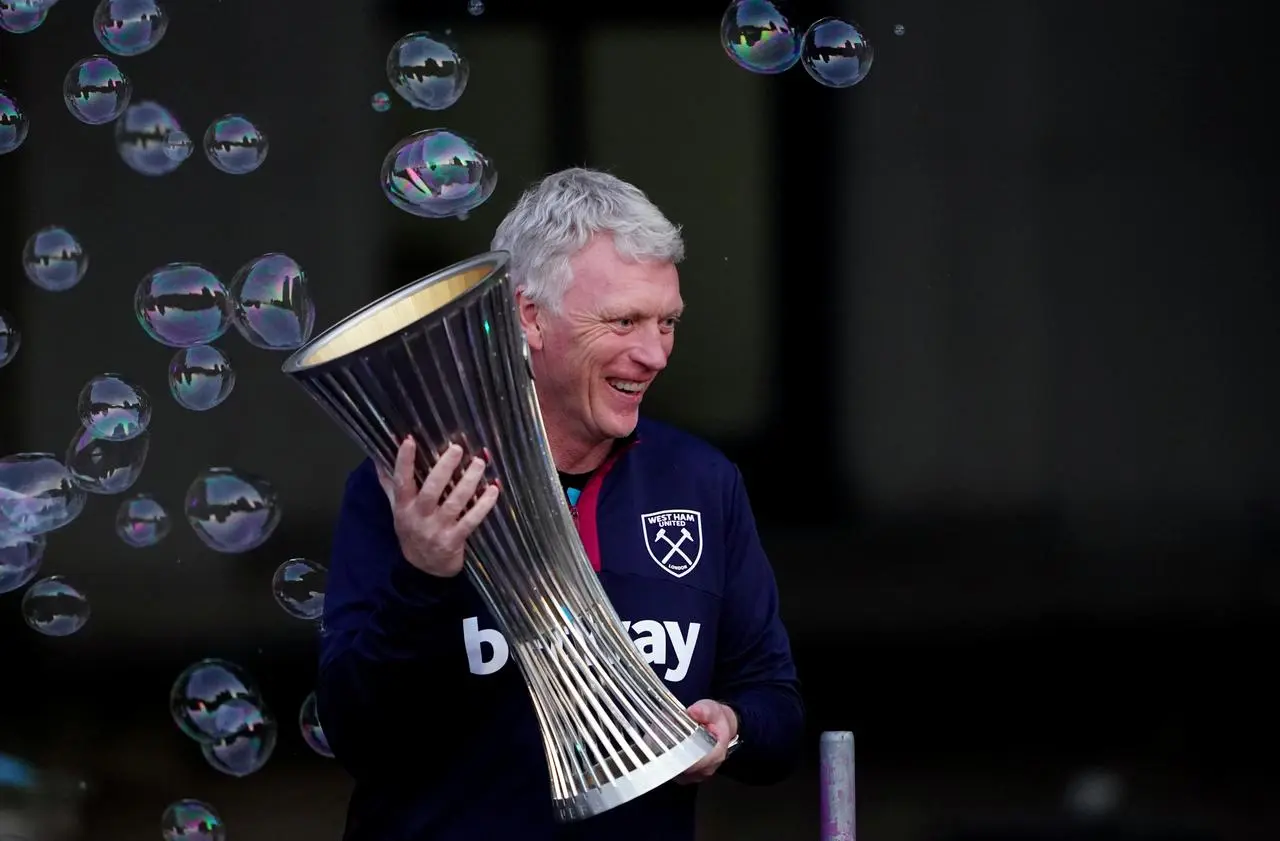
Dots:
pixel 38 495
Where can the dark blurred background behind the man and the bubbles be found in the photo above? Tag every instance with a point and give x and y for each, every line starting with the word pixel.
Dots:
pixel 993 336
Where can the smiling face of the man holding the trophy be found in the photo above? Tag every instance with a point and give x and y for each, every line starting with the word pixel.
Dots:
pixel 595 360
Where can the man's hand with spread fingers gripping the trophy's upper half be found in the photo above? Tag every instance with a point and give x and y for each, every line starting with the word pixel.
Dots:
pixel 432 528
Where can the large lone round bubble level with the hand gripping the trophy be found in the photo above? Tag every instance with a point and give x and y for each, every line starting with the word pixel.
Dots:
pixel 232 511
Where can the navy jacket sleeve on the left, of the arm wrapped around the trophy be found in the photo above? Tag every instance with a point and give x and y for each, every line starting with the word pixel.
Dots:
pixel 394 677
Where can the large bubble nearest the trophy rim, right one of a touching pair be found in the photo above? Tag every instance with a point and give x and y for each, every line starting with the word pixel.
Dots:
pixel 273 303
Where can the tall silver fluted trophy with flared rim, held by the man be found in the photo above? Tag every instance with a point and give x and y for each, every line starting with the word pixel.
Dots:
pixel 445 360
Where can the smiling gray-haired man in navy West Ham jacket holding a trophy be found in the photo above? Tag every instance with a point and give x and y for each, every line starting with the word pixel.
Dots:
pixel 418 694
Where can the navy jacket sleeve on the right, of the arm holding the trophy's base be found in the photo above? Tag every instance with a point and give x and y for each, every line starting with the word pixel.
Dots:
pixel 756 674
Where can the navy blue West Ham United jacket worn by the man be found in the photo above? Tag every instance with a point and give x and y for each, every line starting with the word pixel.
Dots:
pixel 422 703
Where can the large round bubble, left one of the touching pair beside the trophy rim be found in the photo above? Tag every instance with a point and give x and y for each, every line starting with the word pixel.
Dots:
pixel 182 305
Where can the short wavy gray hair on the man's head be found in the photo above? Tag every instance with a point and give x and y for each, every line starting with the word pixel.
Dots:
pixel 557 217
